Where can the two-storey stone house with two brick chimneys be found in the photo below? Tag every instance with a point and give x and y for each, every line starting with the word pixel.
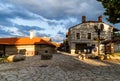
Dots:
pixel 88 36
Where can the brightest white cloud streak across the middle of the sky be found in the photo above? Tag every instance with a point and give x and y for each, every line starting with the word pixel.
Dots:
pixel 52 29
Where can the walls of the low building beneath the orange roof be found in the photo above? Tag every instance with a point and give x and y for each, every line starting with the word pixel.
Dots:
pixel 29 50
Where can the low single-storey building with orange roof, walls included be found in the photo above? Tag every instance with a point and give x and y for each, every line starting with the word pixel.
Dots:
pixel 26 46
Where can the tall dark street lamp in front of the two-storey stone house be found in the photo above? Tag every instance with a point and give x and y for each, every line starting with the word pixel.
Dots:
pixel 98 29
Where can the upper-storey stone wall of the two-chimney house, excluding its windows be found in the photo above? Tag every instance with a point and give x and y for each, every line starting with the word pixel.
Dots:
pixel 85 28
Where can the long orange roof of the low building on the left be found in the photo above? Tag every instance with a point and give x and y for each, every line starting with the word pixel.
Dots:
pixel 24 41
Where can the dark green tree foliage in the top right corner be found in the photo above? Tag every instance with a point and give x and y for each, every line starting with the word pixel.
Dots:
pixel 112 10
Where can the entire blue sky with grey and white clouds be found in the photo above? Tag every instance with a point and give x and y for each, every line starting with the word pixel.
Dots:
pixel 48 18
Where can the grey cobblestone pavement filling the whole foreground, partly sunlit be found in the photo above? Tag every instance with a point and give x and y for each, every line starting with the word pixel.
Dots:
pixel 63 67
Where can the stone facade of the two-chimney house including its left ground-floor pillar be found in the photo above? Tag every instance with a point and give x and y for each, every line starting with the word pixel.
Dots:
pixel 83 30
